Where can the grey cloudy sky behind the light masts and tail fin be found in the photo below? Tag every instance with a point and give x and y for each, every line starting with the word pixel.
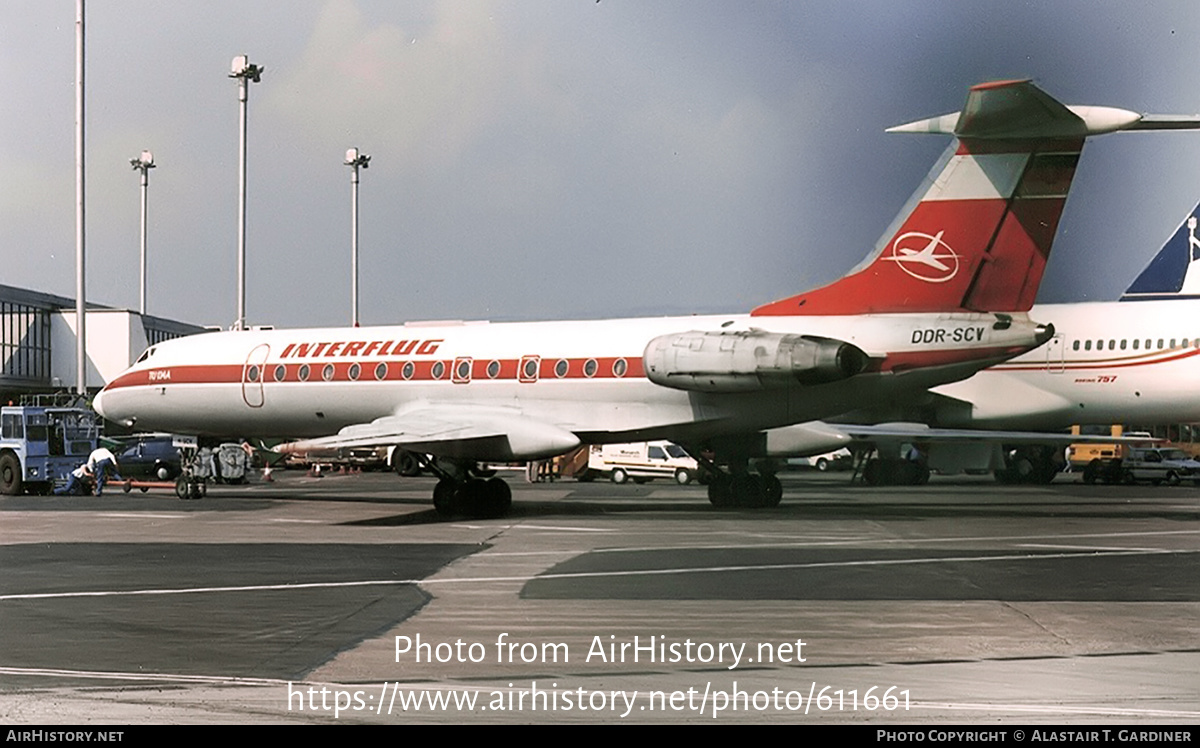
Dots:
pixel 553 159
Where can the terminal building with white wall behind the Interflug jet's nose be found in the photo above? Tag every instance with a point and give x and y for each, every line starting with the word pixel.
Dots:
pixel 38 343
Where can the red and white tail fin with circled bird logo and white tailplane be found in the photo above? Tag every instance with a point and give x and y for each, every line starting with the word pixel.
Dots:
pixel 977 234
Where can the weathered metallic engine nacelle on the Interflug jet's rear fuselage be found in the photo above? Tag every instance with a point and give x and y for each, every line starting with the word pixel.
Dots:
pixel 748 361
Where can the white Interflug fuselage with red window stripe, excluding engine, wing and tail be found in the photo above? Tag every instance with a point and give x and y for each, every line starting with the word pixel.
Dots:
pixel 585 378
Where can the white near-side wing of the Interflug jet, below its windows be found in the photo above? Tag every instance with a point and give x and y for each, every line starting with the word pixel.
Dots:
pixel 460 430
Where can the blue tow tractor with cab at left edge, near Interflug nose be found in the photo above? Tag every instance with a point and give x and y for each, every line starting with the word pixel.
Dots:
pixel 43 441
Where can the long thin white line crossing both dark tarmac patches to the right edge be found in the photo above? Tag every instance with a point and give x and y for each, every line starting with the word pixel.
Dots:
pixel 771 567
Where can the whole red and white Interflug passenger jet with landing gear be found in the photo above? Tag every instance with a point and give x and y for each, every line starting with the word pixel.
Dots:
pixel 945 295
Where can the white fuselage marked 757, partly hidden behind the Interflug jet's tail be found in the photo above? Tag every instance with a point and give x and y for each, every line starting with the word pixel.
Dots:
pixel 1115 362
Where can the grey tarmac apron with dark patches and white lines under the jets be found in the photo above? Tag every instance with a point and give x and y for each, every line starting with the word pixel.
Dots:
pixel 349 600
